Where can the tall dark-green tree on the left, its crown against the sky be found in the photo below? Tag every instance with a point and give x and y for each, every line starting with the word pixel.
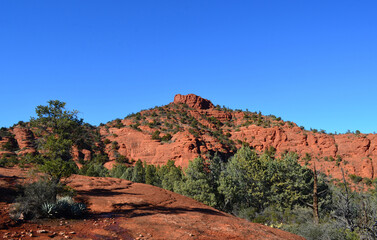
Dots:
pixel 60 130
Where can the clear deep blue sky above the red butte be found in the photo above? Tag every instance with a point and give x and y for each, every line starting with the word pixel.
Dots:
pixel 311 62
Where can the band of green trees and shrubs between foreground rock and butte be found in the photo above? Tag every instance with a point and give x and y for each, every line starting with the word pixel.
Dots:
pixel 263 188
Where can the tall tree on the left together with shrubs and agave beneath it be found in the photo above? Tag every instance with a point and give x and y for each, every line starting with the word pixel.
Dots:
pixel 59 130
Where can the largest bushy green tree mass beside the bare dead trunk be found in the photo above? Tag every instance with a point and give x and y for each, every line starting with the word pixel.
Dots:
pixel 253 183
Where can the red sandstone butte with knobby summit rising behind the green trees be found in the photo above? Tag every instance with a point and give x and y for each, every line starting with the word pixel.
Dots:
pixel 358 152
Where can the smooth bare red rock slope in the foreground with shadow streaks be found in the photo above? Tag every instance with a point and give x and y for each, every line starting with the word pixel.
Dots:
pixel 121 209
